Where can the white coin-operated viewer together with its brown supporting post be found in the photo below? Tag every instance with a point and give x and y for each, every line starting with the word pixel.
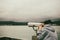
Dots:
pixel 34 25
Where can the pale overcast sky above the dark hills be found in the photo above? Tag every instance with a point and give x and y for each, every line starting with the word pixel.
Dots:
pixel 29 10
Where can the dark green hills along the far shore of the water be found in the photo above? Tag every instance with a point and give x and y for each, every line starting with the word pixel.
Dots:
pixel 55 21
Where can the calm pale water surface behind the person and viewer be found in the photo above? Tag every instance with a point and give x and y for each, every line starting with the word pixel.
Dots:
pixel 21 32
